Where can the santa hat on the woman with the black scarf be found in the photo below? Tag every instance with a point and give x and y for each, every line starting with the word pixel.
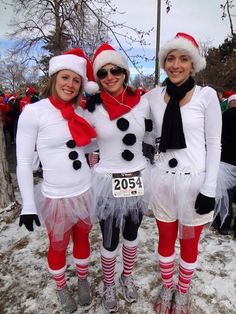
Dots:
pixel 187 43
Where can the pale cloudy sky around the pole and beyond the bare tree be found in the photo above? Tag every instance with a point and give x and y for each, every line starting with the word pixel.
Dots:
pixel 201 19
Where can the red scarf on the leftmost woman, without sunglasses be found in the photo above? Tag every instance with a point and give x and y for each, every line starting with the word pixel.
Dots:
pixel 81 131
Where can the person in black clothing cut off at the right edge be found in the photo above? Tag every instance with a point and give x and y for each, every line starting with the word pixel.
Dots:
pixel 226 184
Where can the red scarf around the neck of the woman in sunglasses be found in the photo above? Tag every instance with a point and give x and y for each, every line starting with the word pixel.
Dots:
pixel 118 106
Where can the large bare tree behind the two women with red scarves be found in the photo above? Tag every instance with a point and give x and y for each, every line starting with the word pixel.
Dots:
pixel 55 25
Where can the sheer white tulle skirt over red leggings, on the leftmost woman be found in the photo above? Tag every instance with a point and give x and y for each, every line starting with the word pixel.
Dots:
pixel 59 215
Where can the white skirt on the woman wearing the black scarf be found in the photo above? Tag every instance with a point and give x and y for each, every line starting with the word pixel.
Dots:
pixel 173 196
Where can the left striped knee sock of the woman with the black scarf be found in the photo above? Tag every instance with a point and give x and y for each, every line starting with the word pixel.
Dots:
pixel 167 270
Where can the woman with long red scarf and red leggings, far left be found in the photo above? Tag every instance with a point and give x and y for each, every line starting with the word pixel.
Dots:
pixel 64 201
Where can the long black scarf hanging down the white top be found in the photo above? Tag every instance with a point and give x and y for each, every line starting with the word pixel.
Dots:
pixel 172 134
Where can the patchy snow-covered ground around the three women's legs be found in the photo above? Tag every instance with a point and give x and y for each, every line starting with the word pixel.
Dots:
pixel 25 286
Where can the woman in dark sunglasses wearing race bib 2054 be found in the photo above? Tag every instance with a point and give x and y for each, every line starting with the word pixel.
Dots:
pixel 120 181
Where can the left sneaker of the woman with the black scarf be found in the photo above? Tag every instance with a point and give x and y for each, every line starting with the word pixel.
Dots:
pixel 164 301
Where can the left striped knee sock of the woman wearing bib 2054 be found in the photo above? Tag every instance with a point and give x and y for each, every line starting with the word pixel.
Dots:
pixel 108 266
